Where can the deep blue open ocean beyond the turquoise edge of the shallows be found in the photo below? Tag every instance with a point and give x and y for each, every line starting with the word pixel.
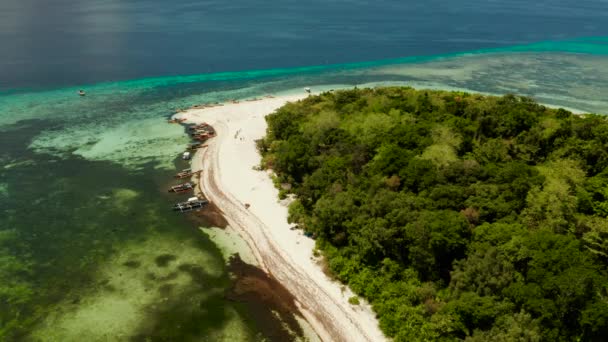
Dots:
pixel 60 42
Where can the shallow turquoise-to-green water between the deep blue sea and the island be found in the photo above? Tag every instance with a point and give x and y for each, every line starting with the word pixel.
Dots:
pixel 83 179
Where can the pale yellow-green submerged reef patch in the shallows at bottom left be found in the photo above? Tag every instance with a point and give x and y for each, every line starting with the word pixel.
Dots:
pixel 132 296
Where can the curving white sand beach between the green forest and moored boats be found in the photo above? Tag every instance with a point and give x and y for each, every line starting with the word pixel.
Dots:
pixel 230 181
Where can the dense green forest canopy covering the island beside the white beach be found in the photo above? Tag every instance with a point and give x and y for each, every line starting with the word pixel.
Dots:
pixel 458 216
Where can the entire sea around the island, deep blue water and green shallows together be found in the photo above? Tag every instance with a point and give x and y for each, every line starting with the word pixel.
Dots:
pixel 88 245
